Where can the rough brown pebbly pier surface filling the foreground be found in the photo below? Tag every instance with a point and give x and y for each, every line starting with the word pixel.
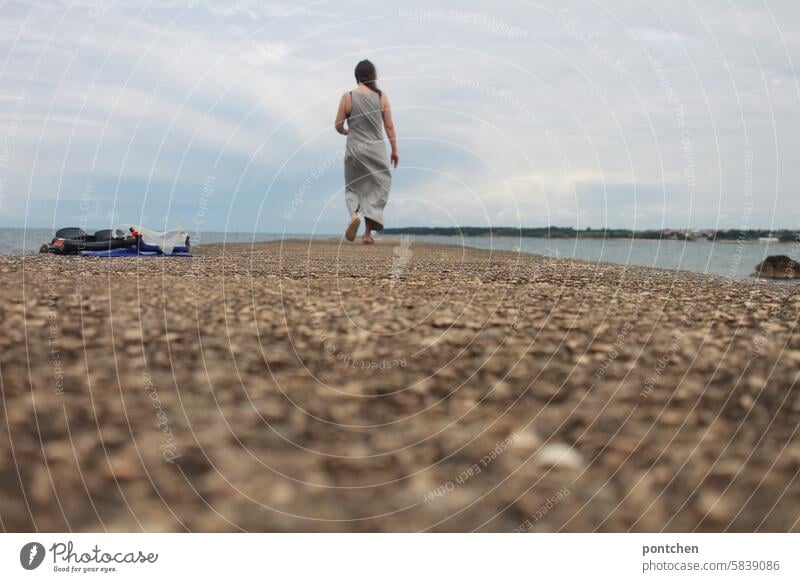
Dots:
pixel 330 386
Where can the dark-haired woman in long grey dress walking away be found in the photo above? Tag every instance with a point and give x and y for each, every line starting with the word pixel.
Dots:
pixel 366 166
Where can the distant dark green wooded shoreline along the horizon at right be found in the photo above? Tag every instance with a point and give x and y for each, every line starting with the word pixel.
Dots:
pixel 569 232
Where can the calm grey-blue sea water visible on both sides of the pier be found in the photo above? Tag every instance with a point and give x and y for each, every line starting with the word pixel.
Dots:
pixel 728 259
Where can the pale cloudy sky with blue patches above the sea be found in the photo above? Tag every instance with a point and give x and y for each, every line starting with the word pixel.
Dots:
pixel 219 116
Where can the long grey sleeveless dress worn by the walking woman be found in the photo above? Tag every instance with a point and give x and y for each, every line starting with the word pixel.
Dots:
pixel 366 165
